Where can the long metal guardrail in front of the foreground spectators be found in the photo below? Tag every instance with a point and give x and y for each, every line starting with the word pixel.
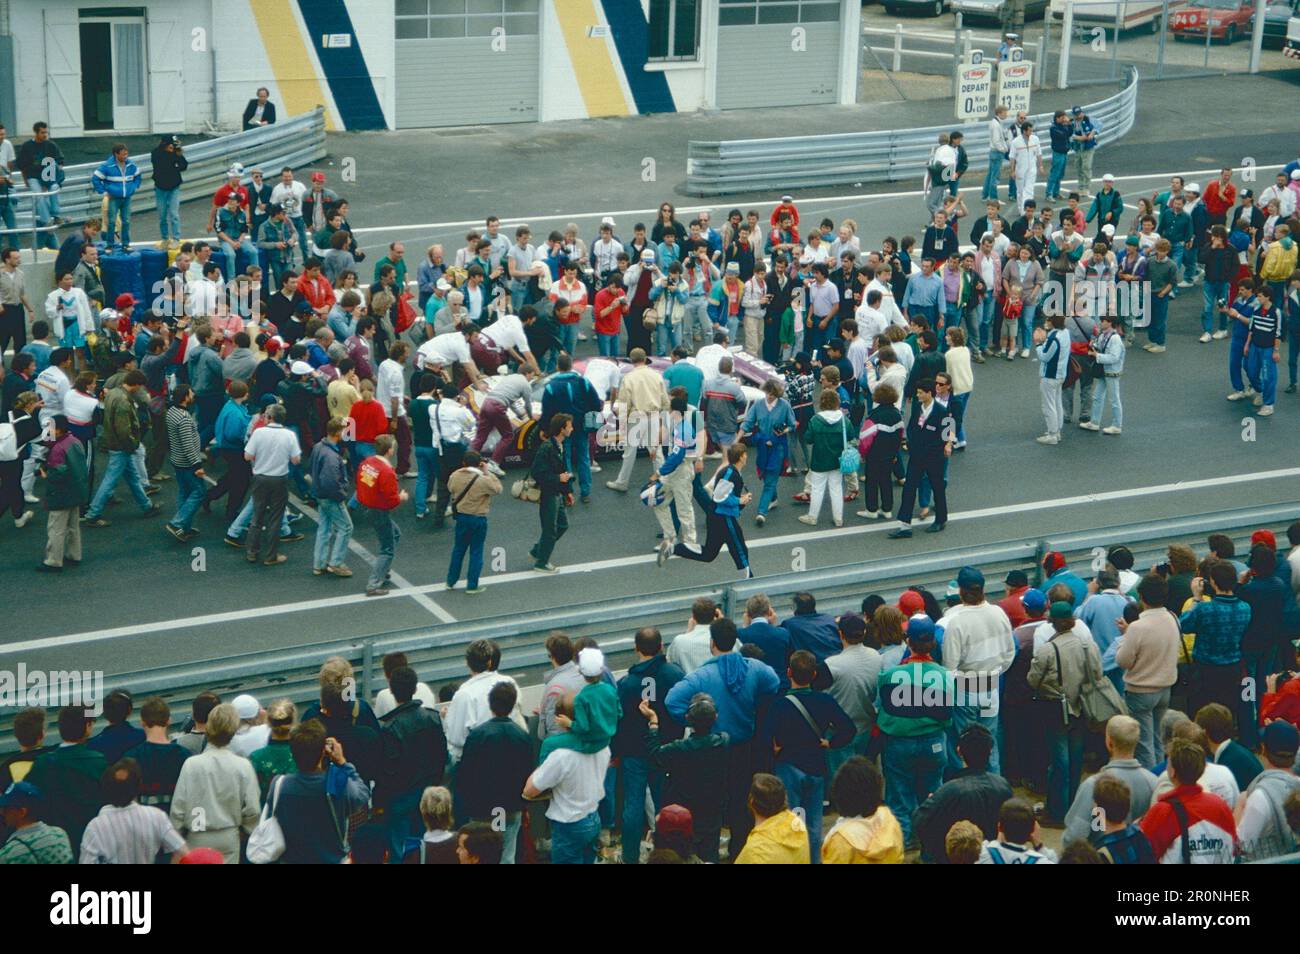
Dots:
pixel 437 652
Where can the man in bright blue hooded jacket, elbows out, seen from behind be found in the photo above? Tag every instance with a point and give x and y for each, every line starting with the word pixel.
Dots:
pixel 738 687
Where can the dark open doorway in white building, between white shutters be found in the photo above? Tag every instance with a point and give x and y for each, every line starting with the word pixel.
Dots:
pixel 115 84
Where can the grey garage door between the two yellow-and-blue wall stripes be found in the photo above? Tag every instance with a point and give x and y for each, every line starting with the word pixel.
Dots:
pixel 463 63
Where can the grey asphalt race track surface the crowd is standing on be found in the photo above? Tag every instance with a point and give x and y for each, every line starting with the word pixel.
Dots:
pixel 138 600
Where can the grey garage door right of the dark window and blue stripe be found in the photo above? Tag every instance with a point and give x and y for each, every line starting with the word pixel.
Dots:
pixel 778 54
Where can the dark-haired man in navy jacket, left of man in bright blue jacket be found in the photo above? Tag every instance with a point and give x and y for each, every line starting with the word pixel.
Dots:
pixel 651 679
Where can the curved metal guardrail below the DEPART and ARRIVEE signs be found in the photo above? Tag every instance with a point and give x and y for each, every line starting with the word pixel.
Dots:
pixel 839 159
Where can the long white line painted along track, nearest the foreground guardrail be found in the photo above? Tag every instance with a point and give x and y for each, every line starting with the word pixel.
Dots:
pixel 596 566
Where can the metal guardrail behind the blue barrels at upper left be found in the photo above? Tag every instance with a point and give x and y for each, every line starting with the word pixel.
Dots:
pixel 294 142
